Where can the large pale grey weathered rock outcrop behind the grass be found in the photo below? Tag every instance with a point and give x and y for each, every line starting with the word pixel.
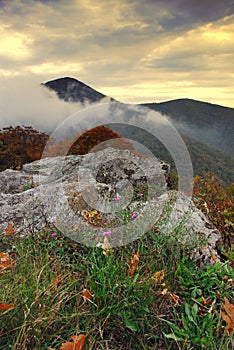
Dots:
pixel 83 196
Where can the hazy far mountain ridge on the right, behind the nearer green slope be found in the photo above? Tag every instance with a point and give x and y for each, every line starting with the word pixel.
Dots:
pixel 209 123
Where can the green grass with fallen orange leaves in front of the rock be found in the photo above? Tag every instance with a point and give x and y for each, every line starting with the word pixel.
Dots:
pixel 125 313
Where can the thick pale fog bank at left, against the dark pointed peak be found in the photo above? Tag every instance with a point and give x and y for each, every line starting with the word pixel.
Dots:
pixel 25 102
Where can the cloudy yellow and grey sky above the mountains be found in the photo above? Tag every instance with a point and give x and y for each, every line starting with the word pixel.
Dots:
pixel 134 50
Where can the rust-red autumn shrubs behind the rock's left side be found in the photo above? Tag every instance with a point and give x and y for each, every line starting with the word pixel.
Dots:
pixel 24 144
